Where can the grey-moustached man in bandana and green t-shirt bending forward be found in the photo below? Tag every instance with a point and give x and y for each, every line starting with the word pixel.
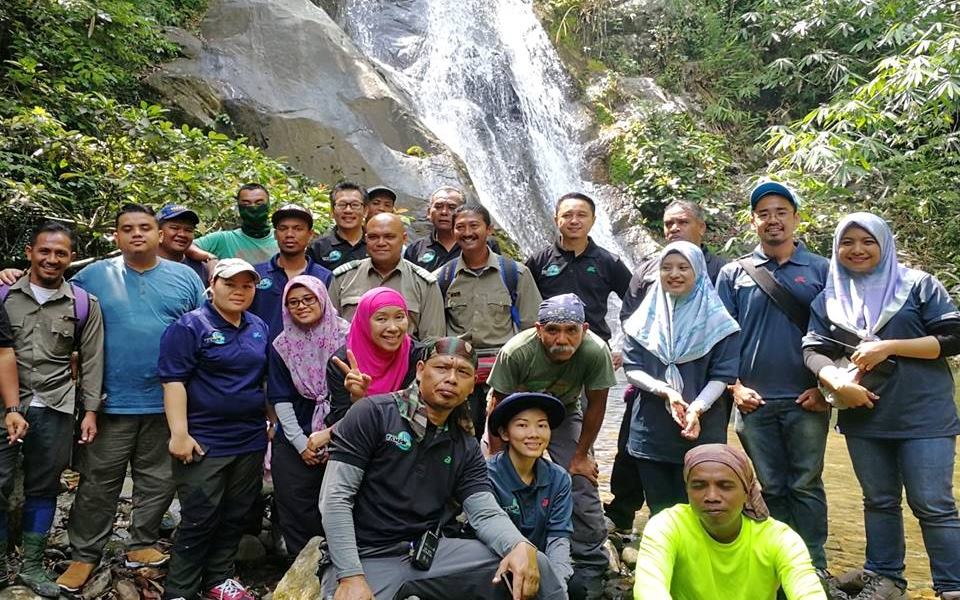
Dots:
pixel 563 358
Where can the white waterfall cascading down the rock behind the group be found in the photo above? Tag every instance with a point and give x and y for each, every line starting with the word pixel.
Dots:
pixel 485 78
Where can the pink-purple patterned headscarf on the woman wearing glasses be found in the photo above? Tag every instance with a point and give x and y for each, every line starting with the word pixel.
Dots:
pixel 305 351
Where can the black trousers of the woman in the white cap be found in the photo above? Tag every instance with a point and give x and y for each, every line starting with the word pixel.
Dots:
pixel 216 494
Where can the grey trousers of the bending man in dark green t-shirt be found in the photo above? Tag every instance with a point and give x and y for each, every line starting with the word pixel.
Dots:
pixel 589 530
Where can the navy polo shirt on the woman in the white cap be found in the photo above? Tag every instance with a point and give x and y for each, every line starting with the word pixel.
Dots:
pixel 223 368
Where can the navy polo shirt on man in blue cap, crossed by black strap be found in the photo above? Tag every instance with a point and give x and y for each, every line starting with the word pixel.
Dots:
pixel 771 357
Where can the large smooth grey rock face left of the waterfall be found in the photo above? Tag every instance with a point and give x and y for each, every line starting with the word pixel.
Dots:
pixel 283 74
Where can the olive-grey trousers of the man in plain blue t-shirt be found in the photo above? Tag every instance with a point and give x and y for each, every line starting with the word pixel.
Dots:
pixel 140 441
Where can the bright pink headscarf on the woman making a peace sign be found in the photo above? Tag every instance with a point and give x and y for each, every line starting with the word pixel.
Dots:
pixel 386 369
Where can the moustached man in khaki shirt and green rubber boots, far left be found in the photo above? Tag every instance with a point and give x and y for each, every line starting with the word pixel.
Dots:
pixel 58 343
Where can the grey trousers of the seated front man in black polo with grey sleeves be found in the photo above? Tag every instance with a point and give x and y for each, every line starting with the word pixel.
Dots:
pixel 461 569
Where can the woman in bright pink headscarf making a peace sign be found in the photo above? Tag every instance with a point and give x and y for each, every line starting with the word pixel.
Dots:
pixel 379 356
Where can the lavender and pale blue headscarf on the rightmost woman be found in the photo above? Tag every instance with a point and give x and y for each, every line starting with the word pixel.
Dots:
pixel 862 303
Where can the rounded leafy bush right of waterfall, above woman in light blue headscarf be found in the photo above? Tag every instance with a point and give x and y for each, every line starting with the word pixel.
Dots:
pixel 660 157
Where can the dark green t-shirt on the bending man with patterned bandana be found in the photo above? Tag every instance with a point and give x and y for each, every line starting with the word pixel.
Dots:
pixel 523 365
